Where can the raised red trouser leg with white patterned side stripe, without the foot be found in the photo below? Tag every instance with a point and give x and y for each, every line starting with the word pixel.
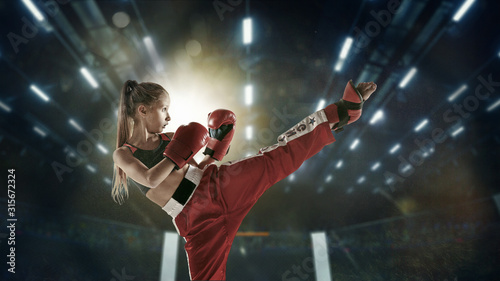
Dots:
pixel 244 181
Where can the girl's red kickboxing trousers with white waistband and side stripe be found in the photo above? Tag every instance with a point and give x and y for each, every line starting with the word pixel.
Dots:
pixel 210 219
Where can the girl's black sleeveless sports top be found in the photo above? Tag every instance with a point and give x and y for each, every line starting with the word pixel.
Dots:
pixel 149 157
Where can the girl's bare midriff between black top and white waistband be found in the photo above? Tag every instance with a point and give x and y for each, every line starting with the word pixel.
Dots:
pixel 164 191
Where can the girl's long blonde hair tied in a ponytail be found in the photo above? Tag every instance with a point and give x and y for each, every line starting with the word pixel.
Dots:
pixel 132 95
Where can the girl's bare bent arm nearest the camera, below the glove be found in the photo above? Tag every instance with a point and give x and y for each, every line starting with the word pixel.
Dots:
pixel 136 170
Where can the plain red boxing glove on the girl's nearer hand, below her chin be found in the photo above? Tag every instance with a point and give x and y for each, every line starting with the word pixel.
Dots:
pixel 187 141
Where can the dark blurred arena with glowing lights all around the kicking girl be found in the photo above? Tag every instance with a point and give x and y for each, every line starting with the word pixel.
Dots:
pixel 409 192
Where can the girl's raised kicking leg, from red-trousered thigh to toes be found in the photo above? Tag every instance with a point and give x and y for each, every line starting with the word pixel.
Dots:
pixel 244 181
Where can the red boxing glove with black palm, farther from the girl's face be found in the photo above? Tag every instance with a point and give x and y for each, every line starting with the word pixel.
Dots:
pixel 221 124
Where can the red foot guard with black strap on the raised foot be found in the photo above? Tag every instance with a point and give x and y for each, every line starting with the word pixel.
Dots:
pixel 347 110
